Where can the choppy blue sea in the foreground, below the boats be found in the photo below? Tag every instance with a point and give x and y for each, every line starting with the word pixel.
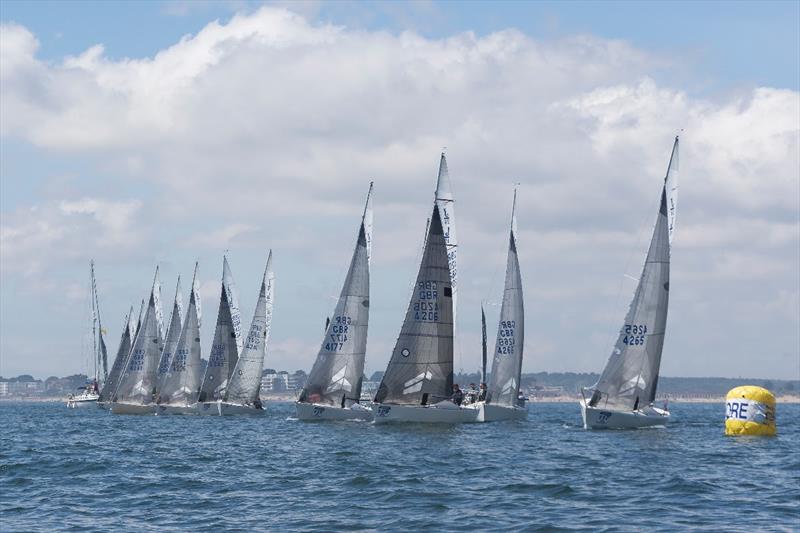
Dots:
pixel 88 470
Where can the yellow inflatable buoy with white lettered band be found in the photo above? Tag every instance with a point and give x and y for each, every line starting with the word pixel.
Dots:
pixel 750 410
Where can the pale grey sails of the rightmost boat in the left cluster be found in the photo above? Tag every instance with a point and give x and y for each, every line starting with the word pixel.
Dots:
pixel 245 383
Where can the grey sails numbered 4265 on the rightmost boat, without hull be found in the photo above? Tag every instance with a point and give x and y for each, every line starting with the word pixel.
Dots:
pixel 630 377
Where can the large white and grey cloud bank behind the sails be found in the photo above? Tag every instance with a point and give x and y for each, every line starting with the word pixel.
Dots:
pixel 264 132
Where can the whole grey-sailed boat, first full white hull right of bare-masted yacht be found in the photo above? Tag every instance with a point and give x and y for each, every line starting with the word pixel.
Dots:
pixel 137 385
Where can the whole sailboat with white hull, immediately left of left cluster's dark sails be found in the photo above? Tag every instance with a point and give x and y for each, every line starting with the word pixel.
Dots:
pixel 179 388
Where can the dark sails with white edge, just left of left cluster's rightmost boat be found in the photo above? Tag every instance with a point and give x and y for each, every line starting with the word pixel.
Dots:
pixel 227 343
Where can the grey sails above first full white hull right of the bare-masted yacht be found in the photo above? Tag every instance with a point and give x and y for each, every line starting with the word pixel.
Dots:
pixel 138 381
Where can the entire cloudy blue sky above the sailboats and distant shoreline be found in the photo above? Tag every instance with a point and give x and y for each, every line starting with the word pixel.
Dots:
pixel 144 133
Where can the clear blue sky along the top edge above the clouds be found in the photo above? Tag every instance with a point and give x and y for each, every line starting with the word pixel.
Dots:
pixel 732 43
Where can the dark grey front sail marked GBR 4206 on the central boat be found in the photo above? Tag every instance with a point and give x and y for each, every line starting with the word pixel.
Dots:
pixel 420 370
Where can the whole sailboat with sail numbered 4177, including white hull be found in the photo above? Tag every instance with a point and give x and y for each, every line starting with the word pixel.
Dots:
pixel 333 389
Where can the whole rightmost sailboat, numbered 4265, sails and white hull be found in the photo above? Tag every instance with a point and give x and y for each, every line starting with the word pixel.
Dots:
pixel 623 396
